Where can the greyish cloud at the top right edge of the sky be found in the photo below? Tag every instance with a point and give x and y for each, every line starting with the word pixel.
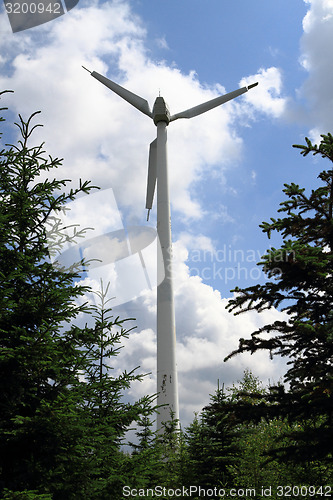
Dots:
pixel 317 60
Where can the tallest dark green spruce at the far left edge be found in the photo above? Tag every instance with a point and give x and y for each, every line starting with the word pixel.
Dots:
pixel 37 356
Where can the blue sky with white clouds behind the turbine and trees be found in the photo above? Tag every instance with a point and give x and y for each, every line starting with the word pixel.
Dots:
pixel 227 167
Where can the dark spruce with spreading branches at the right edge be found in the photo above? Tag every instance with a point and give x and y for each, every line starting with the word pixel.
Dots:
pixel 300 284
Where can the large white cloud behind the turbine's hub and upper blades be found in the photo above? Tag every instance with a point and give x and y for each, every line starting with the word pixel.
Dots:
pixel 100 136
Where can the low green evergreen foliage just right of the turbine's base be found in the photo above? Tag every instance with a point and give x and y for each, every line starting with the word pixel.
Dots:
pixel 246 463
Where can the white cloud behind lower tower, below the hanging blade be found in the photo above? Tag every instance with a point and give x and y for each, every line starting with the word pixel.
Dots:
pixel 206 333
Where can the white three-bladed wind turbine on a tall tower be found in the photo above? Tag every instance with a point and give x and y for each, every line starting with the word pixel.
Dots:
pixel 167 384
